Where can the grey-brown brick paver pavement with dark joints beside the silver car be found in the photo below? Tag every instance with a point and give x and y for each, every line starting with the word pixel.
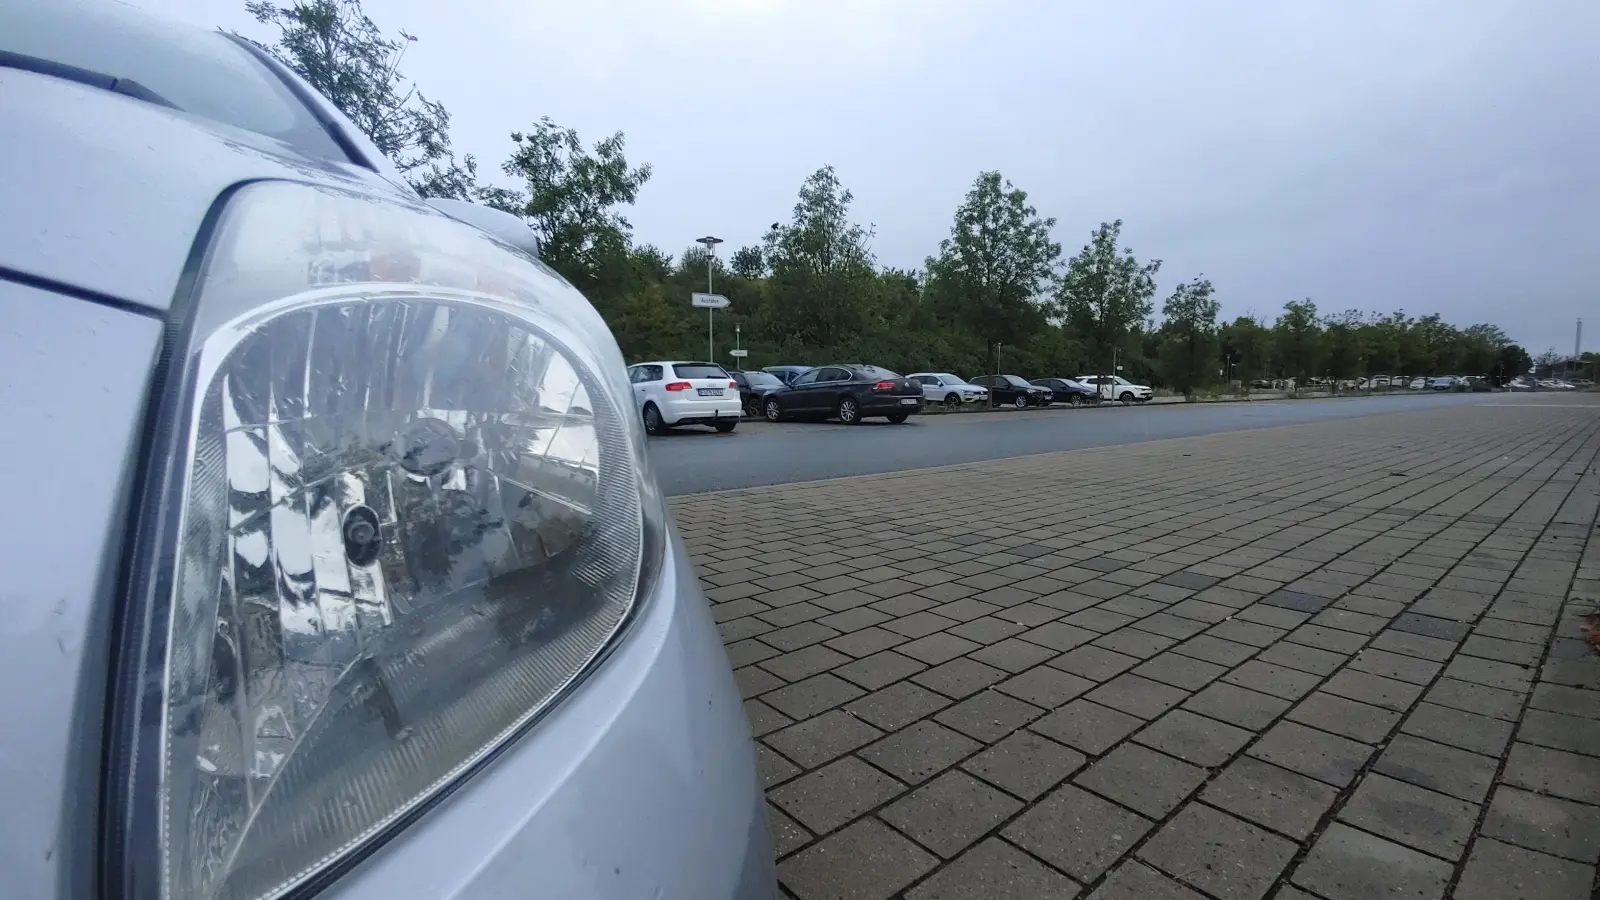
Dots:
pixel 1334 661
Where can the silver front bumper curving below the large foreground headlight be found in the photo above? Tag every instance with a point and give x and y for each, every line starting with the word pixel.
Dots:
pixel 641 784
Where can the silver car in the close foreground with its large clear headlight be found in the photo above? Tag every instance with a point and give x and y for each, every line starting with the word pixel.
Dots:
pixel 334 563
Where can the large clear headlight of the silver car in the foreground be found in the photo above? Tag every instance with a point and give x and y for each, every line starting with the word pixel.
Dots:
pixel 398 505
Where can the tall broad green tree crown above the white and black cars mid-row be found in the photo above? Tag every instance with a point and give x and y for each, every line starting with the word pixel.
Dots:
pixel 998 265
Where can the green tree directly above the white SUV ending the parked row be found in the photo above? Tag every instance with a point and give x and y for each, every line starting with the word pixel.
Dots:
pixel 1106 294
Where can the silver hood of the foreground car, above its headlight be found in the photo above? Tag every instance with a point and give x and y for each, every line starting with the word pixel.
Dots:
pixel 105 195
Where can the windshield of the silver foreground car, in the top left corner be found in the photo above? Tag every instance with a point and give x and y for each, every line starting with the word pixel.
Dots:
pixel 201 73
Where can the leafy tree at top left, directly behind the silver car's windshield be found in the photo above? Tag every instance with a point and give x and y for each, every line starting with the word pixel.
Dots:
pixel 350 60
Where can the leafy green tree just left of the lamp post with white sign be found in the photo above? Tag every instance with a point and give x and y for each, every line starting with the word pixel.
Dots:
pixel 574 198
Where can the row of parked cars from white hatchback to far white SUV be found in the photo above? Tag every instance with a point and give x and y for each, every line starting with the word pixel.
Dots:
pixel 674 393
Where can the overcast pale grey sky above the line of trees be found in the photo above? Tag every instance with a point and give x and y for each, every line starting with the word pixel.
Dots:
pixel 1433 156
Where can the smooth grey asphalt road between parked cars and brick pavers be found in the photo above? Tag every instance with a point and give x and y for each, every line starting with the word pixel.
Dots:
pixel 695 460
